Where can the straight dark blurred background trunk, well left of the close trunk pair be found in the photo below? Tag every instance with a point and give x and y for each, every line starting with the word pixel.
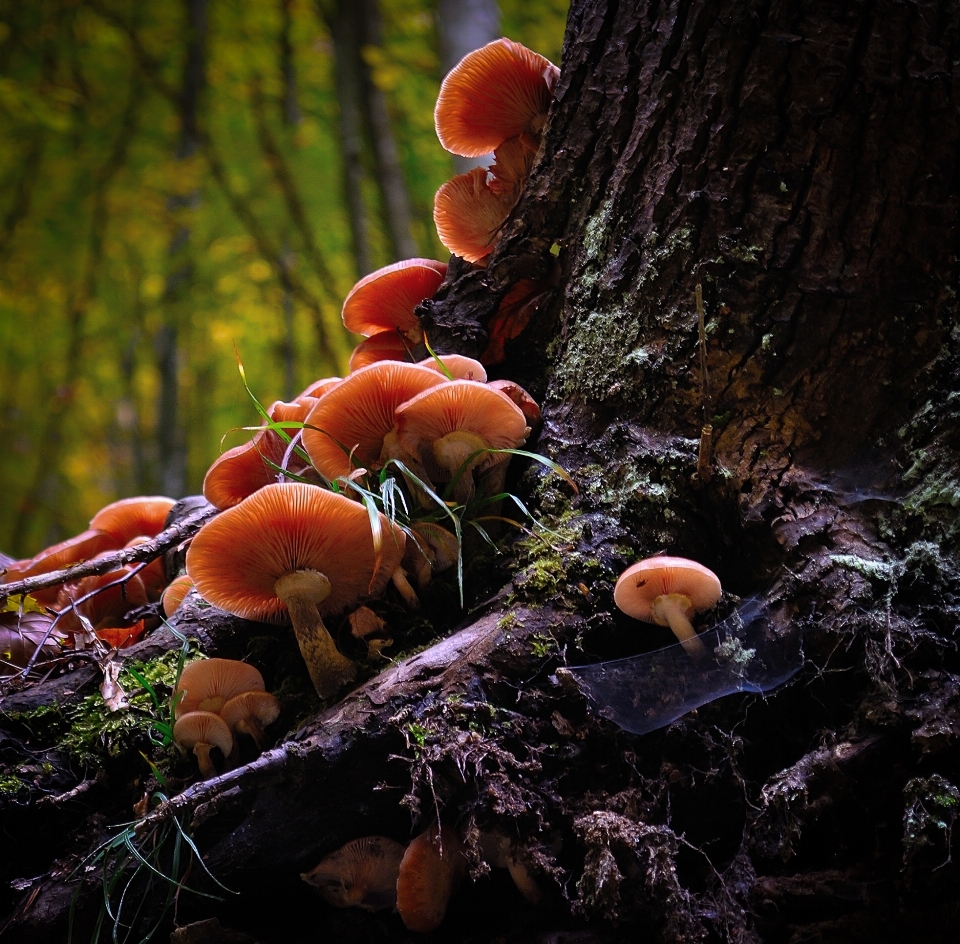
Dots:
pixel 171 437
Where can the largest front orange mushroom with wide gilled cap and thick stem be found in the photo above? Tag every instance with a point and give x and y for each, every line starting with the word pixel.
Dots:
pixel 299 553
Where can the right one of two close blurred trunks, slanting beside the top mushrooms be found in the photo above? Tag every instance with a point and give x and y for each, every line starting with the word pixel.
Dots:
pixel 393 188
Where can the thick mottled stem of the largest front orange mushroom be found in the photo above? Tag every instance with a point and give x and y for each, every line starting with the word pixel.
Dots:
pixel 301 592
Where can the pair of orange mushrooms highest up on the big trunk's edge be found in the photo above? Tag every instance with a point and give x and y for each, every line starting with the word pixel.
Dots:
pixel 495 99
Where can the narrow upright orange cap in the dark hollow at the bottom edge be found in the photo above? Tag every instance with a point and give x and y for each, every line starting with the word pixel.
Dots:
pixel 431 867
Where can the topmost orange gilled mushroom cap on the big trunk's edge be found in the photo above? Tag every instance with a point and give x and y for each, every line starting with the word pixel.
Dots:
pixel 493 93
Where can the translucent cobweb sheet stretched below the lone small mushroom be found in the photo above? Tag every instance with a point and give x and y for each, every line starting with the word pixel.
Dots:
pixel 747 653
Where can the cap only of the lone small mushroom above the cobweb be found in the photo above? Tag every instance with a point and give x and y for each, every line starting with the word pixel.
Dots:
pixel 640 585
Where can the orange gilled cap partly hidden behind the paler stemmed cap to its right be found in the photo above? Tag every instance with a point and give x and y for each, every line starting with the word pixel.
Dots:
pixel 354 417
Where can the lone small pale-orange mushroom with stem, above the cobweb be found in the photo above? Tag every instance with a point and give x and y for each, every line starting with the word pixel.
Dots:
pixel 668 591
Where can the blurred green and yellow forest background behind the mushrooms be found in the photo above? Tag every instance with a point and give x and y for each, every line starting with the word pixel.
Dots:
pixel 181 180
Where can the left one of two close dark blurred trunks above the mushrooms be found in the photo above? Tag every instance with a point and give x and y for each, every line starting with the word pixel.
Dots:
pixel 344 24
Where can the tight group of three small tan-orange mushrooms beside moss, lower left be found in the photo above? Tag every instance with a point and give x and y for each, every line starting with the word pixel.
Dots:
pixel 214 701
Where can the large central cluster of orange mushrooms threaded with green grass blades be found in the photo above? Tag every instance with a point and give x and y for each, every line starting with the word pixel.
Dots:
pixel 301 551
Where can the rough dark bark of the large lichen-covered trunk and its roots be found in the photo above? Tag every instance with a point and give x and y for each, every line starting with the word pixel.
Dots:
pixel 798 160
